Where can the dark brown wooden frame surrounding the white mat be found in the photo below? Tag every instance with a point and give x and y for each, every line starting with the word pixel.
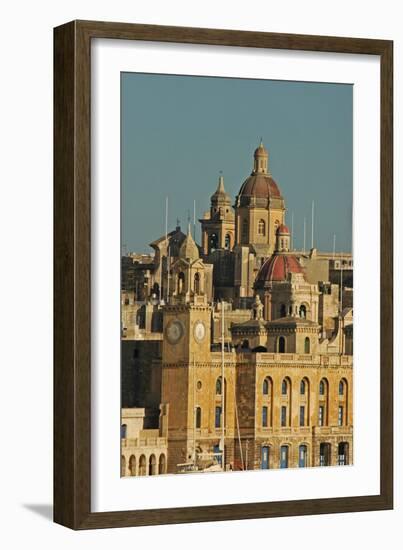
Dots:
pixel 72 270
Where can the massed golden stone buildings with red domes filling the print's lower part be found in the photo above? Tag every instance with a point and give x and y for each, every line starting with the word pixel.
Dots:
pixel 247 341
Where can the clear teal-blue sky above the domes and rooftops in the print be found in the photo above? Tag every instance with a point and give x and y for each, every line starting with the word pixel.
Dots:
pixel 179 132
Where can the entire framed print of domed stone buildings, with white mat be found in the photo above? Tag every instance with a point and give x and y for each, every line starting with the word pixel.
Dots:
pixel 223 275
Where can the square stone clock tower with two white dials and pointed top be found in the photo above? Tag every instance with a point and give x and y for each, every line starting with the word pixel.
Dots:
pixel 185 349
